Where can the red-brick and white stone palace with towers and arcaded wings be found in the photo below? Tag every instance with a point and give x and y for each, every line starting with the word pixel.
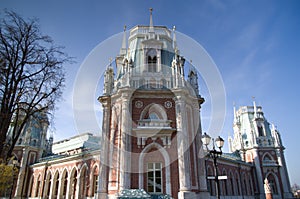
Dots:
pixel 151 137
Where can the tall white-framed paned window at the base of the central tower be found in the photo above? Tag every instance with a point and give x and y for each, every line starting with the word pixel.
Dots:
pixel 154 178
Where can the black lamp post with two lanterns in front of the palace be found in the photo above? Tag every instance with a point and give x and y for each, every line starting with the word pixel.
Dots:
pixel 214 154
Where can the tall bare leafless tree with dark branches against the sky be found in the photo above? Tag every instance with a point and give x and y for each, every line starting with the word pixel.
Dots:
pixel 31 76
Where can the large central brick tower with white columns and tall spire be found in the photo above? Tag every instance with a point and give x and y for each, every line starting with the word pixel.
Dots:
pixel 151 134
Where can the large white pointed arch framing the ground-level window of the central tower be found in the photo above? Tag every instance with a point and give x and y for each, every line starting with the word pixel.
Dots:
pixel 166 164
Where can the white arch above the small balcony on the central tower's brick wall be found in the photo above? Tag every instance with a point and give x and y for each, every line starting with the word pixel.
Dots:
pixel 154 109
